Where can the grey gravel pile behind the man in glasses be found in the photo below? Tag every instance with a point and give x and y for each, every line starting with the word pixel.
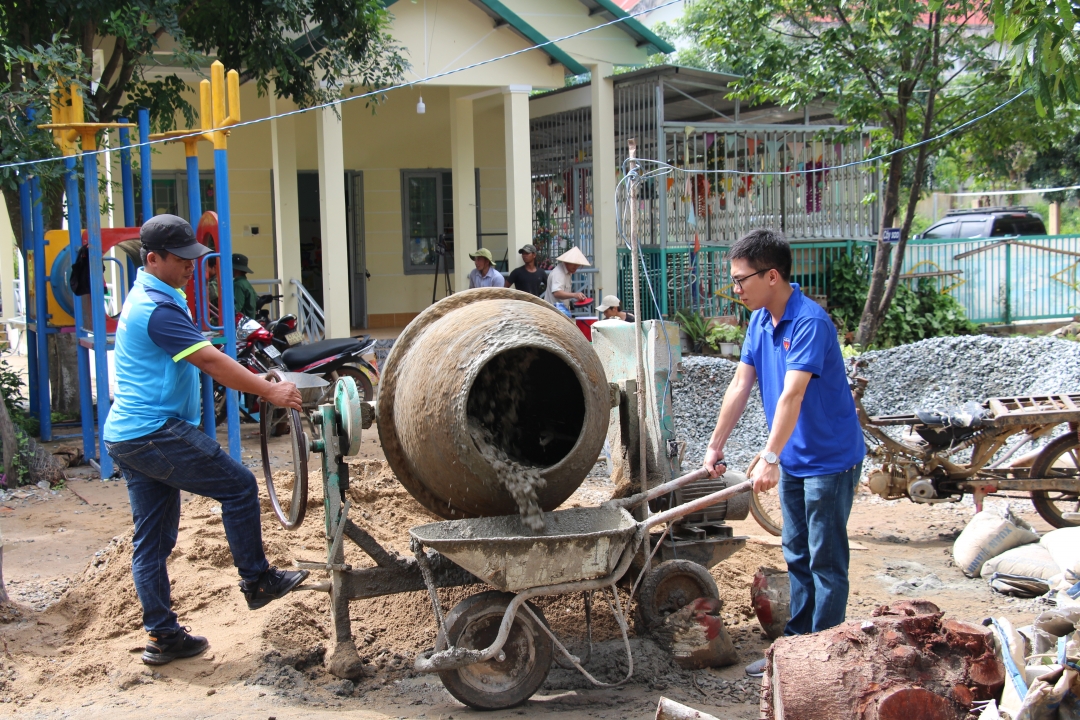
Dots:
pixel 931 374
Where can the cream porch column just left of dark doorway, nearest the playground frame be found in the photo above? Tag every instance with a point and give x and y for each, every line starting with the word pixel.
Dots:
pixel 287 213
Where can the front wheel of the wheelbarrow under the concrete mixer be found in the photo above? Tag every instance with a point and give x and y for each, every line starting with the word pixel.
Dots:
pixel 493 686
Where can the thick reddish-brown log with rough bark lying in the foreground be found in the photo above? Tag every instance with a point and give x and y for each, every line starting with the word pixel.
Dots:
pixel 906 662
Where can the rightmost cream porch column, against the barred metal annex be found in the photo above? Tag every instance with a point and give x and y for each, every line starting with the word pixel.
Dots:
pixel 605 241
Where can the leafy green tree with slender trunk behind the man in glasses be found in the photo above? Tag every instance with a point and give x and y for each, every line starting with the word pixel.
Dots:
pixel 913 69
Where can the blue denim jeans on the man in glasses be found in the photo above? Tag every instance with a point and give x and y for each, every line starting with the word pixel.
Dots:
pixel 816 513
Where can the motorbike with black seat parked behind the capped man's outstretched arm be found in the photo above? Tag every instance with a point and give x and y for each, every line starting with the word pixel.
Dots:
pixel 258 350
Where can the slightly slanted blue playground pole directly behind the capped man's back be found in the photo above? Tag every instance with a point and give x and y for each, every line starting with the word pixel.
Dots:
pixel 98 306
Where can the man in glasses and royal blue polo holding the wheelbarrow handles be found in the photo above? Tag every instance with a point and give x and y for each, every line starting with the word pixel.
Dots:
pixel 816 446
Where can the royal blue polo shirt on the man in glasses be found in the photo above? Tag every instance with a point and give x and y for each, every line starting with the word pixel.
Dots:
pixel 828 439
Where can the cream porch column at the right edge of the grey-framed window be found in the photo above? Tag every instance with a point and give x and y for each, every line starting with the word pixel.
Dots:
pixel 464 166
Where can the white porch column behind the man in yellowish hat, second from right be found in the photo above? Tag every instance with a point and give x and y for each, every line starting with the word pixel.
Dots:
pixel 516 120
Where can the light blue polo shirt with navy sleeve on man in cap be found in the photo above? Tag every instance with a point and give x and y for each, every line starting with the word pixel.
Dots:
pixel 154 336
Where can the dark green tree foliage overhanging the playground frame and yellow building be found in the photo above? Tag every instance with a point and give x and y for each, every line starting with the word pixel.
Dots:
pixel 309 49
